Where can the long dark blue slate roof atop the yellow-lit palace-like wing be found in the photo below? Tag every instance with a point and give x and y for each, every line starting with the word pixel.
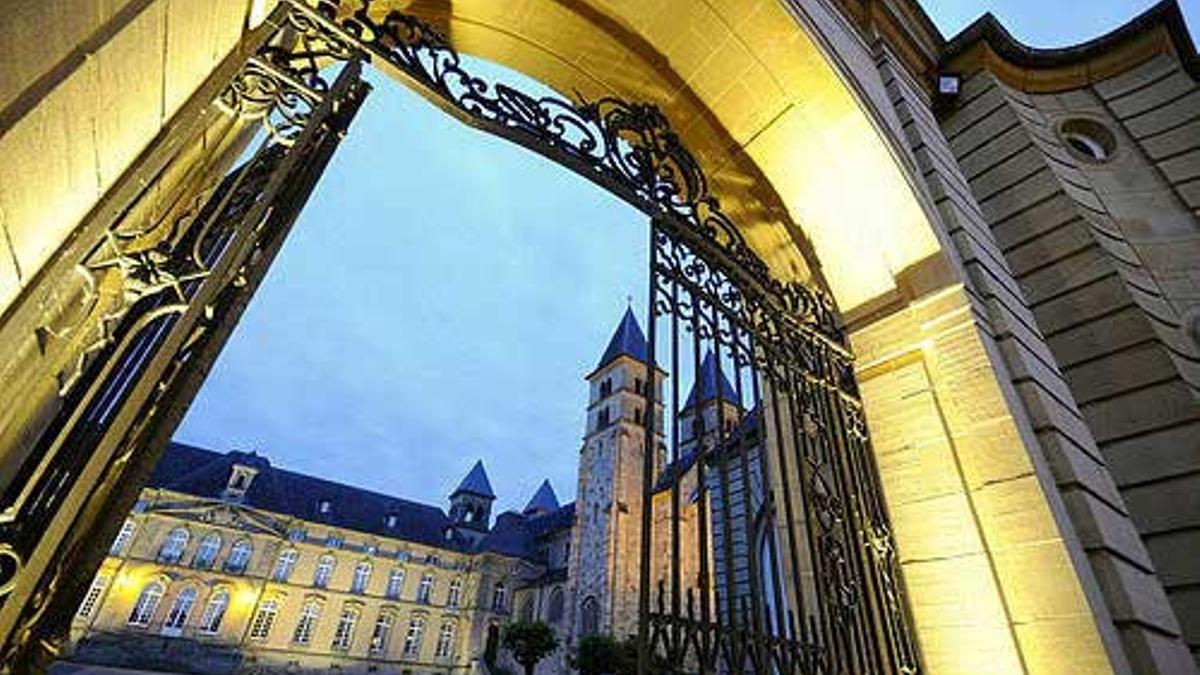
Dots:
pixel 206 474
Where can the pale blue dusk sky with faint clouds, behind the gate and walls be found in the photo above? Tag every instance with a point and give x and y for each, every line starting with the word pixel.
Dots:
pixel 445 292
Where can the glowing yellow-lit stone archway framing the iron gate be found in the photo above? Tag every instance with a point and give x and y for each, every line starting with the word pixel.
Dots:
pixel 827 186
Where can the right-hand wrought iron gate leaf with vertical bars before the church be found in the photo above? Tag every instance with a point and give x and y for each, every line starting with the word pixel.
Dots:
pixel 777 557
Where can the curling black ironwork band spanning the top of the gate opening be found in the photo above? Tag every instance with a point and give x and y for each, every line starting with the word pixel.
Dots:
pixel 627 146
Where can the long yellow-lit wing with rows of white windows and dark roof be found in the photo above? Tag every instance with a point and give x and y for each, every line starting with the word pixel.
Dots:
pixel 231 565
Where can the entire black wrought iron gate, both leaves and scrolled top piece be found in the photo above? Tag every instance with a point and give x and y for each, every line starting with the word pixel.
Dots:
pixel 781 457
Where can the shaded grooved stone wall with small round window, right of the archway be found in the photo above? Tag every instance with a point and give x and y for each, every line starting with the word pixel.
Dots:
pixel 1078 236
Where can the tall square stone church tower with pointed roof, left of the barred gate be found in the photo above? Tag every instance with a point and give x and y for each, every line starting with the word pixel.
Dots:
pixel 608 530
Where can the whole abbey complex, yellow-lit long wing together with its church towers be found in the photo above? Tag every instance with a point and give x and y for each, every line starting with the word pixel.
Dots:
pixel 232 565
